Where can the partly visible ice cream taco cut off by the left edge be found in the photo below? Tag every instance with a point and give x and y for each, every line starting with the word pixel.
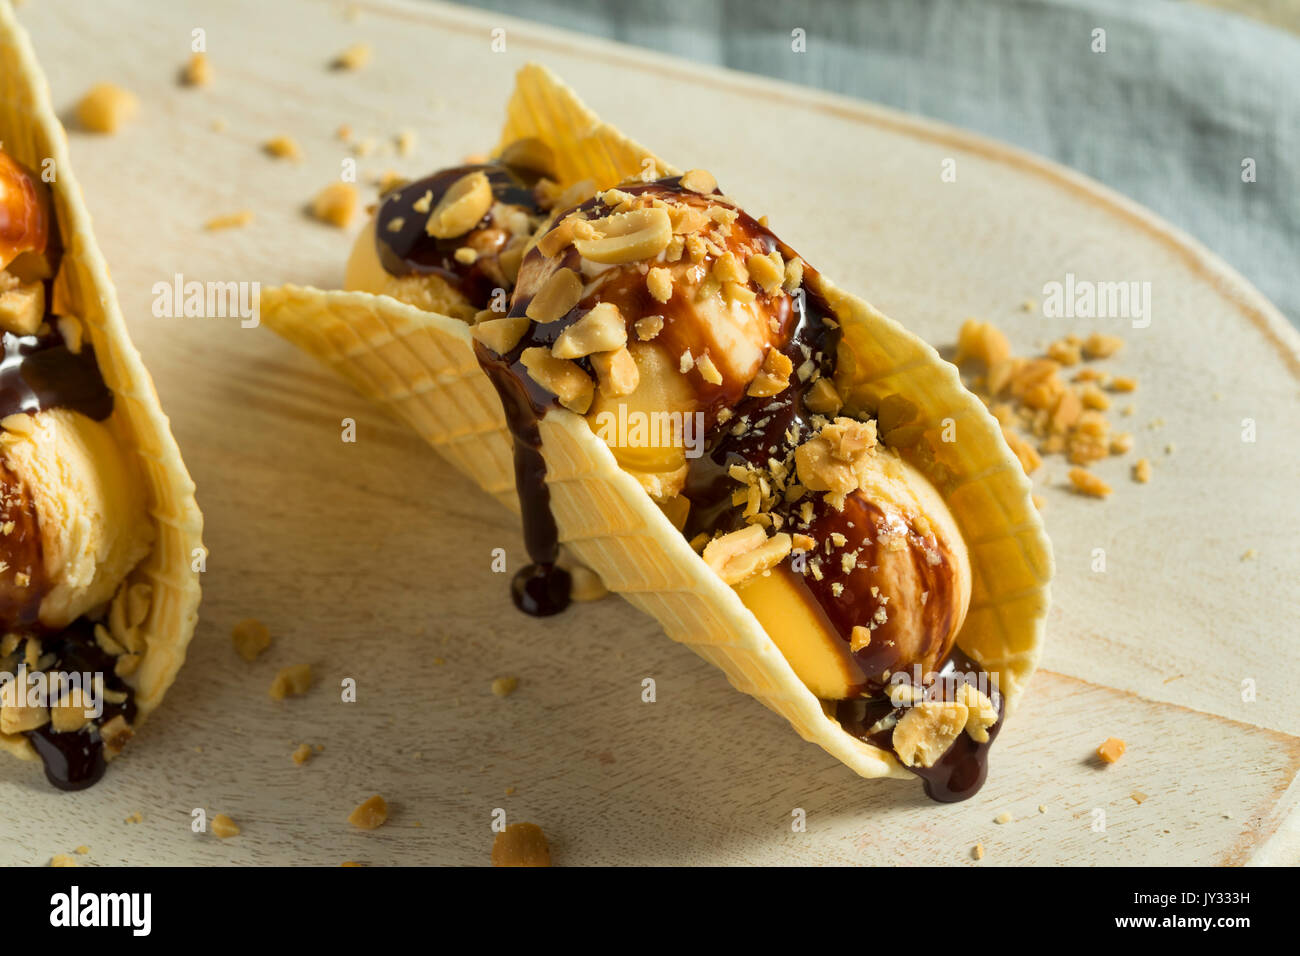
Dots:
pixel 99 530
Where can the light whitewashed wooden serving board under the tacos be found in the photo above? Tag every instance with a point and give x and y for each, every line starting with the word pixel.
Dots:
pixel 371 560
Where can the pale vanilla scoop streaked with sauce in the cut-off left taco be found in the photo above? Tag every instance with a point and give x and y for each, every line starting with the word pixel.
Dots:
pixel 67 486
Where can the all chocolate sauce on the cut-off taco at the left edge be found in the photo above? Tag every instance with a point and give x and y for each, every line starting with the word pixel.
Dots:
pixel 41 373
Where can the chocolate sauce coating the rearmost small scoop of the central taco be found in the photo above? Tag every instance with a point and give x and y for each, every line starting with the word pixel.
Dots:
pixel 409 250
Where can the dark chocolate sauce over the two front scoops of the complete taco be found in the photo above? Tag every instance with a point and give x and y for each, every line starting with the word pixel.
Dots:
pixel 775 427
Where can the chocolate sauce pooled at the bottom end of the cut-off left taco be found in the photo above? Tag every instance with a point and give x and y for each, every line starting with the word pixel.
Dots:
pixel 75 760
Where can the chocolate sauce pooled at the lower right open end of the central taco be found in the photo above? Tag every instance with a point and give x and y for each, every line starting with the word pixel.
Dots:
pixel 961 772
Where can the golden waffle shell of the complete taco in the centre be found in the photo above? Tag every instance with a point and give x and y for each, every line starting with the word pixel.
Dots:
pixel 423 367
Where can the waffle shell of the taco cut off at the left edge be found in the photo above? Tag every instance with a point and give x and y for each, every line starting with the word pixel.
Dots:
pixel 32 135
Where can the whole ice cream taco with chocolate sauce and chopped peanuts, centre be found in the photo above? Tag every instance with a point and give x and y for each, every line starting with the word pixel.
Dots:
pixel 791 483
